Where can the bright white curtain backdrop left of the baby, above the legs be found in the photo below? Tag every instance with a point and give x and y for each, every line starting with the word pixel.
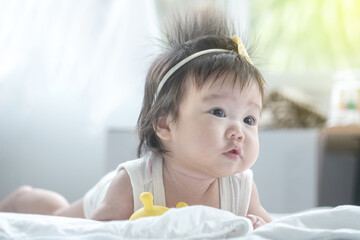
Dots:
pixel 68 69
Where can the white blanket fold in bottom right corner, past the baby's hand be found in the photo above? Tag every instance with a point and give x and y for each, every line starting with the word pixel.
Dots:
pixel 342 222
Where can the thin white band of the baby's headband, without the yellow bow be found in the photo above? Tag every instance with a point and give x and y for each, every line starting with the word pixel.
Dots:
pixel 183 62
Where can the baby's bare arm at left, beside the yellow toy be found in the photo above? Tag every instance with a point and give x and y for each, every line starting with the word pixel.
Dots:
pixel 118 203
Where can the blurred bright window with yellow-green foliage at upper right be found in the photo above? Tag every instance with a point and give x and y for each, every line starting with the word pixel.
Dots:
pixel 317 36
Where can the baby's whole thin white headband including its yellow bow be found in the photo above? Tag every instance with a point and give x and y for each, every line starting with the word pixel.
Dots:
pixel 241 50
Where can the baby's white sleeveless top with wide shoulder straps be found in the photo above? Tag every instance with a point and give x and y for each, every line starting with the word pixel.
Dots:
pixel 146 176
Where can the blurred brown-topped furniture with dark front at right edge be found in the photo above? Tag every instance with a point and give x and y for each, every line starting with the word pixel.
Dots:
pixel 339 181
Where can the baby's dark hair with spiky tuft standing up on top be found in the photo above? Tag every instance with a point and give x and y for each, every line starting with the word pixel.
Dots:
pixel 198 30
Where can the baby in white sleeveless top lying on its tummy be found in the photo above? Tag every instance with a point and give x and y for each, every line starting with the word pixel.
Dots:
pixel 198 131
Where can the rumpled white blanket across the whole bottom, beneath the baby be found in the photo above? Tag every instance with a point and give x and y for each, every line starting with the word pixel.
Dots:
pixel 195 222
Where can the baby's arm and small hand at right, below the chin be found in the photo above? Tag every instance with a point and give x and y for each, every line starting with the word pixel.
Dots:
pixel 256 213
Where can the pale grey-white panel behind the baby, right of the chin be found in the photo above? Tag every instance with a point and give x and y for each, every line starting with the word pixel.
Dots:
pixel 287 170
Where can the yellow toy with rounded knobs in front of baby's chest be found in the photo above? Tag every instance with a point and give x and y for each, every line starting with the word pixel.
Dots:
pixel 149 209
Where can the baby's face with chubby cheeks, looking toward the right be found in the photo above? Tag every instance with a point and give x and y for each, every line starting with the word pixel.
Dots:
pixel 216 134
